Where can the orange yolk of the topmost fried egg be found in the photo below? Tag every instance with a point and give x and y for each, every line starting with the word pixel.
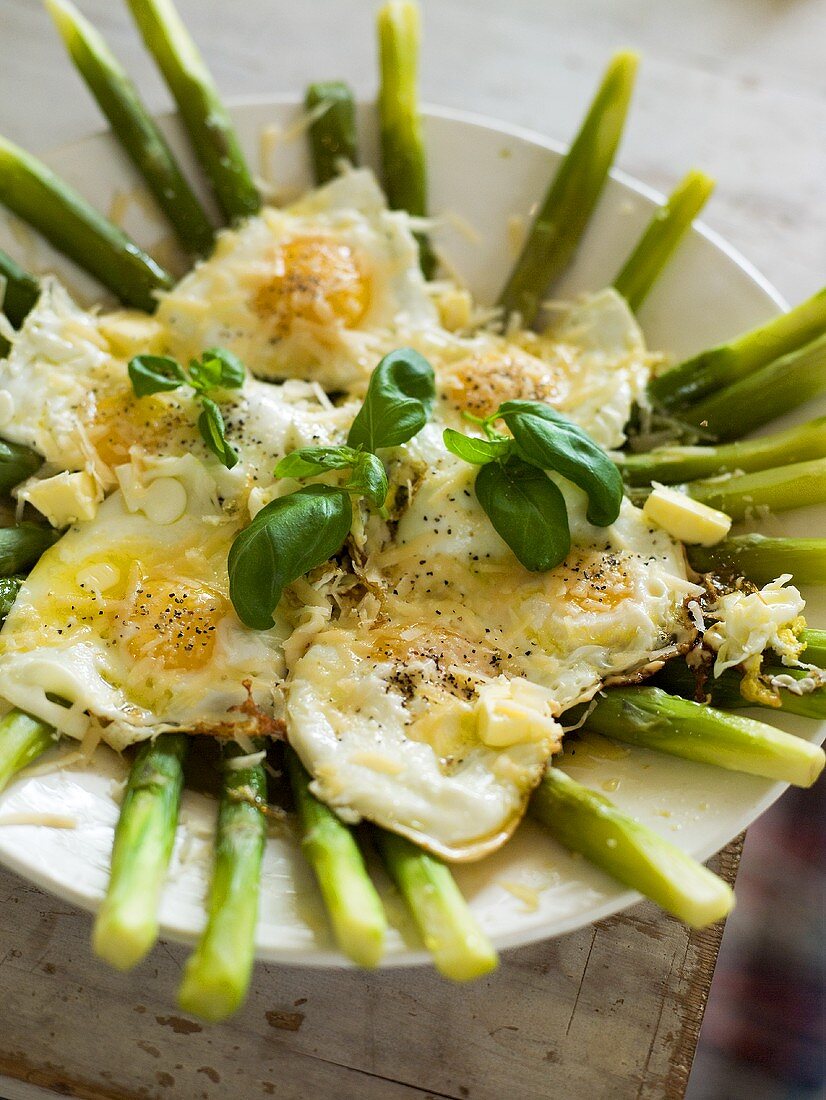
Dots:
pixel 316 280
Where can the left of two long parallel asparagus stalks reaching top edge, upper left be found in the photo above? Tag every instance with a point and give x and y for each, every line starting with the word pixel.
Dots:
pixel 133 125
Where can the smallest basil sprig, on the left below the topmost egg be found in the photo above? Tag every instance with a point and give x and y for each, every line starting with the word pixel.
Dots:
pixel 218 369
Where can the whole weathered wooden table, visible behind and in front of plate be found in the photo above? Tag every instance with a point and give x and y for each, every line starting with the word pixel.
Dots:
pixel 612 1011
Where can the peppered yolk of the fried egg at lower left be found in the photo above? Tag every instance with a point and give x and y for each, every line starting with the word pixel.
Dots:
pixel 175 623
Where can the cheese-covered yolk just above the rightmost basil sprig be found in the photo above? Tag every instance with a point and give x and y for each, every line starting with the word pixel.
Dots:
pixel 482 382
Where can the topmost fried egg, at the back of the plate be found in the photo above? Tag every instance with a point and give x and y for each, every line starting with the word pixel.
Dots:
pixel 321 290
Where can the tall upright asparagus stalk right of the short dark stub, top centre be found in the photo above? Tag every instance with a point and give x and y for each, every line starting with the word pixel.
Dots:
pixel 404 163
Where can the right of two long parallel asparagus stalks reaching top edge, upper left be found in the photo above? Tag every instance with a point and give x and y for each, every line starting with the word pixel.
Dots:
pixel 205 117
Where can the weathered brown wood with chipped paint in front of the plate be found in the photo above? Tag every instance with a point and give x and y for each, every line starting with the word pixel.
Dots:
pixel 612 1011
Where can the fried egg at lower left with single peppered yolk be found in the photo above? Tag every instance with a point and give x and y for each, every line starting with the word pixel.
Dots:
pixel 128 619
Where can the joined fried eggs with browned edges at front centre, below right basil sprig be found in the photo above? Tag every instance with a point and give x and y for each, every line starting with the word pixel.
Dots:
pixel 432 708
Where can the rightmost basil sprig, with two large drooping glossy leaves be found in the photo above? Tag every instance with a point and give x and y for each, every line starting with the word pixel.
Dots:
pixel 524 505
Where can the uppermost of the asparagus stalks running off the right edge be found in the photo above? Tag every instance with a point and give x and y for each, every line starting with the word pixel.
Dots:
pixel 729 364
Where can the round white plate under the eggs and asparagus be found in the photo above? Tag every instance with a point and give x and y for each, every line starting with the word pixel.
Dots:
pixel 481 175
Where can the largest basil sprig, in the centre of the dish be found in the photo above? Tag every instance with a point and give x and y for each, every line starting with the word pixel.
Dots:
pixel 304 530
